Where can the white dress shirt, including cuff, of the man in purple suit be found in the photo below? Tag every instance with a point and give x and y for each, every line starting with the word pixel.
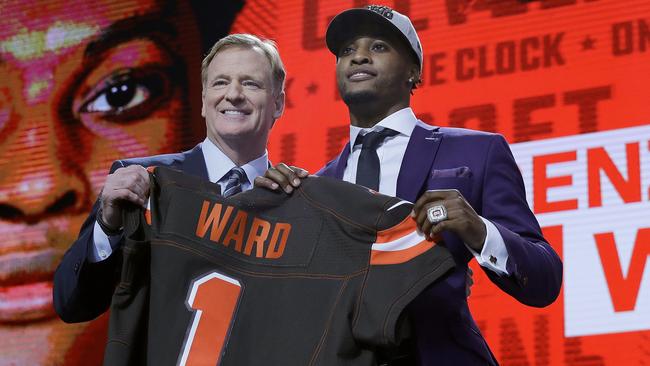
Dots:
pixel 391 153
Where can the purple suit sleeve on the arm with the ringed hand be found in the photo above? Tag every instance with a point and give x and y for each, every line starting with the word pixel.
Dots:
pixel 535 268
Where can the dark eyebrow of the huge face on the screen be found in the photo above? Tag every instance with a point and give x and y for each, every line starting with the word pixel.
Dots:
pixel 139 26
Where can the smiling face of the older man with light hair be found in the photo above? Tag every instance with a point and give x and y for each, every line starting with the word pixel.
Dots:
pixel 240 100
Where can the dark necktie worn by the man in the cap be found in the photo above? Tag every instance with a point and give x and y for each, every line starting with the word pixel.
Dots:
pixel 368 167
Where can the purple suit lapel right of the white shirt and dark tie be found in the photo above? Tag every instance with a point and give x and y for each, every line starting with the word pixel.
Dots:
pixel 419 156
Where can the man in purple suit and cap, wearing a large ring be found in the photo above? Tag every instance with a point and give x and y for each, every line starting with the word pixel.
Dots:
pixel 465 184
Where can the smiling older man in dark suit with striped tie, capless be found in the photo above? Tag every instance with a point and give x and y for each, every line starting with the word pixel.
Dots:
pixel 243 95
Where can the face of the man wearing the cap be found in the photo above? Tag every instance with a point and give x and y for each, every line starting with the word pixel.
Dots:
pixel 374 69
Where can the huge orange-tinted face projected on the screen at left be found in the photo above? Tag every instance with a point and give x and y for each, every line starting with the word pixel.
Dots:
pixel 82 84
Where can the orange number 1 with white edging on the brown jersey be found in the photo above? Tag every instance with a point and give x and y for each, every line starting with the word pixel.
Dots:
pixel 213 298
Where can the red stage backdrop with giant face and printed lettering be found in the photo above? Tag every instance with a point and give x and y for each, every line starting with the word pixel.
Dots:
pixel 82 84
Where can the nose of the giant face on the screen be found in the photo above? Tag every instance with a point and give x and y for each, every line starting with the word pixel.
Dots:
pixel 38 174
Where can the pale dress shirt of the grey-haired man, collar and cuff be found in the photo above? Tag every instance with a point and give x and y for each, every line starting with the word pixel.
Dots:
pixel 218 166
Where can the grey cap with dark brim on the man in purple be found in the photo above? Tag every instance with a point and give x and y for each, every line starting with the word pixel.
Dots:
pixel 349 22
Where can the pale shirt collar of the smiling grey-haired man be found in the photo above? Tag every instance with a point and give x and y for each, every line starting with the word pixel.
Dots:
pixel 218 164
